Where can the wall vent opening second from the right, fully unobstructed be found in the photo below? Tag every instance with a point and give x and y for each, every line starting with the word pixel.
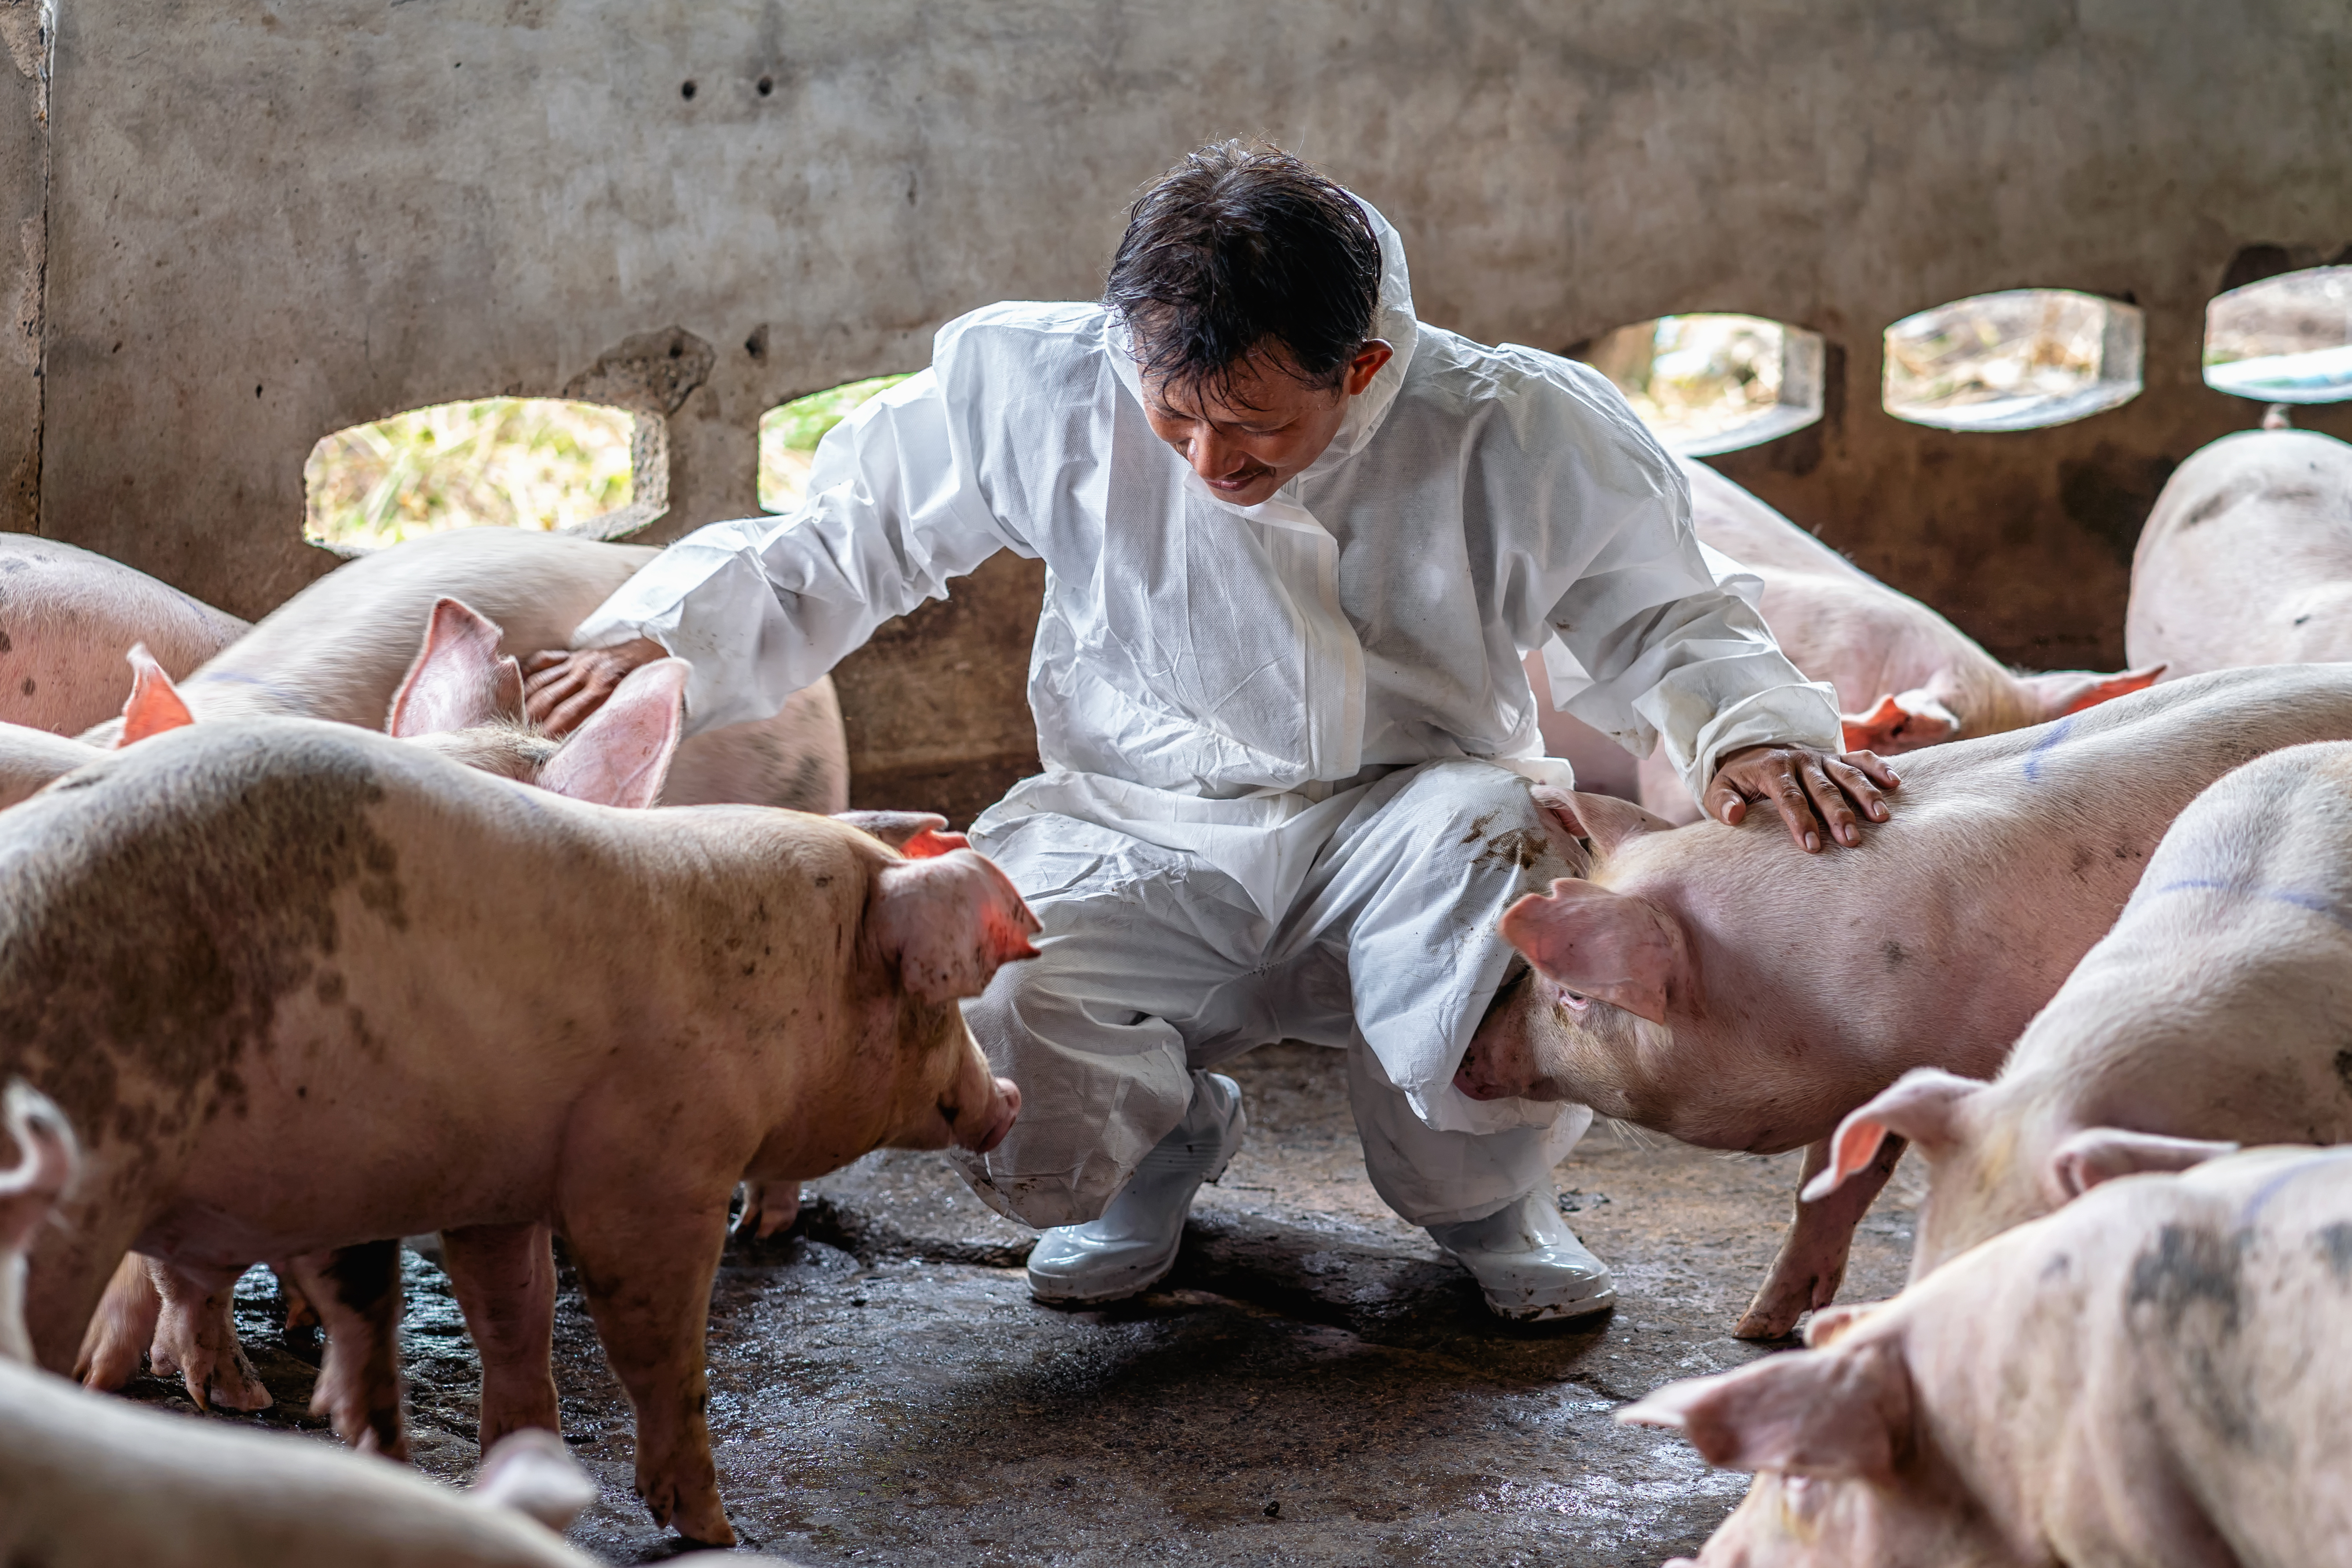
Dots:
pixel 2012 361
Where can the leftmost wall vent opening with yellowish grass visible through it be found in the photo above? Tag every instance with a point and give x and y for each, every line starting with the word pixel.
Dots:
pixel 497 462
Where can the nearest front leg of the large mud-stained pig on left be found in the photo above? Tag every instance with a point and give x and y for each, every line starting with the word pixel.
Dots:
pixel 648 1280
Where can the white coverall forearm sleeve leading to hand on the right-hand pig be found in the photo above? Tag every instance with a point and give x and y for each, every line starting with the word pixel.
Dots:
pixel 1659 650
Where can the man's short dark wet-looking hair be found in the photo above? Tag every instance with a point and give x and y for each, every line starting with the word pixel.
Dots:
pixel 1236 253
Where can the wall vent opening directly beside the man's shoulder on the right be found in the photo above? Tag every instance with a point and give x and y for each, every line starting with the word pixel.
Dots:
pixel 1711 384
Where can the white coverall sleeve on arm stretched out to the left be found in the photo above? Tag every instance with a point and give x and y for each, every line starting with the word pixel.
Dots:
pixel 766 605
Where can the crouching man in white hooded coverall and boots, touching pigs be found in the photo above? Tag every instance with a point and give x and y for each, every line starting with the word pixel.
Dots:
pixel 1297 549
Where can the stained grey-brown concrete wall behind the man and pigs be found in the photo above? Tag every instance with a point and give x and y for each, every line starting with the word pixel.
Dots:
pixel 267 222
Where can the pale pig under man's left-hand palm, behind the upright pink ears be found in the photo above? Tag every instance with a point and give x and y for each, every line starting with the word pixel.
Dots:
pixel 340 648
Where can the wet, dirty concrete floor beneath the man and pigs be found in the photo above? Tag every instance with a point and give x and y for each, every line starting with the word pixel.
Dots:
pixel 1314 1386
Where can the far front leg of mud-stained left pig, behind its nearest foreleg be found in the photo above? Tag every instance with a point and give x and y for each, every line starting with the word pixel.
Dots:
pixel 505 1280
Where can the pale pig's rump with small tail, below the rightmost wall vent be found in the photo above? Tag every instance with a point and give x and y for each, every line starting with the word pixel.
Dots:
pixel 2247 558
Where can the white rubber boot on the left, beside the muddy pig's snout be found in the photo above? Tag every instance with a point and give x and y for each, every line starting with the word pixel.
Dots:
pixel 1135 1245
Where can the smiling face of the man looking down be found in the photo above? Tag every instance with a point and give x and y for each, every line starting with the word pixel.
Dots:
pixel 1264 424
